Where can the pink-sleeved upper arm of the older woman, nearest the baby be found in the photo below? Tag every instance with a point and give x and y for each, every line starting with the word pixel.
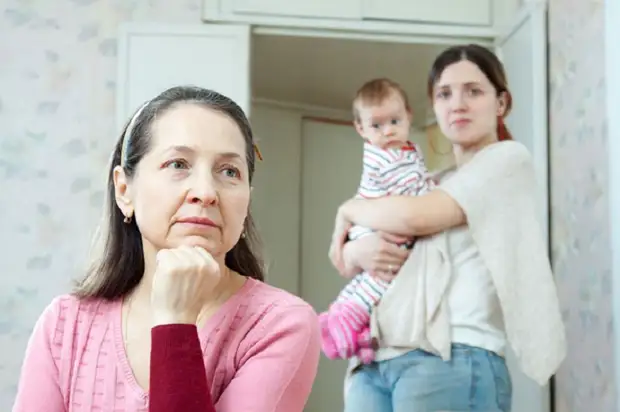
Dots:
pixel 278 362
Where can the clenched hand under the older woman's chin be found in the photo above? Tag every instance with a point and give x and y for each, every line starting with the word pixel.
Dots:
pixel 183 280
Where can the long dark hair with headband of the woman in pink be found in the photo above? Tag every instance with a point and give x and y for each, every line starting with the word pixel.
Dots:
pixel 119 266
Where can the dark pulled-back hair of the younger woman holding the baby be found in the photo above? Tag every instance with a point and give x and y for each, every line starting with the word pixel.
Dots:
pixel 488 63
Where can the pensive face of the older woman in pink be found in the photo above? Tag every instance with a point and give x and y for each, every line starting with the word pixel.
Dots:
pixel 192 187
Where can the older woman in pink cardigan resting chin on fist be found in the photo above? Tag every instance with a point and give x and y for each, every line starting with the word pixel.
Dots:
pixel 175 302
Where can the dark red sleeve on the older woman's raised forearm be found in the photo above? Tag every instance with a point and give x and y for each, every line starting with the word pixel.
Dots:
pixel 178 381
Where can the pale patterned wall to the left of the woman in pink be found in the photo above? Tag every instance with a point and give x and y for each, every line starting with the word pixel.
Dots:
pixel 57 128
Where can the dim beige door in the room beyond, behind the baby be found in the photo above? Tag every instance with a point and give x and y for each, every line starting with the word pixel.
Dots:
pixel 331 167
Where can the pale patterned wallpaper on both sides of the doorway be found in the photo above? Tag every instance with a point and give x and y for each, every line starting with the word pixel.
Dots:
pixel 57 80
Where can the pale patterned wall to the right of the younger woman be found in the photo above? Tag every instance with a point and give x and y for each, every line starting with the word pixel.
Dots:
pixel 581 250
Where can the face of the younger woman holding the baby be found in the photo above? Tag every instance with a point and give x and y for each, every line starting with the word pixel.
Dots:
pixel 466 105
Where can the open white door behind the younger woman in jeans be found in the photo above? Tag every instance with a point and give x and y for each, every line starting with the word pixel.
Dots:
pixel 523 52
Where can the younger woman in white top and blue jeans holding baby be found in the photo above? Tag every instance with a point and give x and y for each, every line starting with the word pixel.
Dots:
pixel 478 278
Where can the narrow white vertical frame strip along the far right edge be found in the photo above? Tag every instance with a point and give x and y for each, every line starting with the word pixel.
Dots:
pixel 612 56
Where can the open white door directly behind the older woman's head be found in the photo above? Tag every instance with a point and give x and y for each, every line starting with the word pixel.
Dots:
pixel 154 57
